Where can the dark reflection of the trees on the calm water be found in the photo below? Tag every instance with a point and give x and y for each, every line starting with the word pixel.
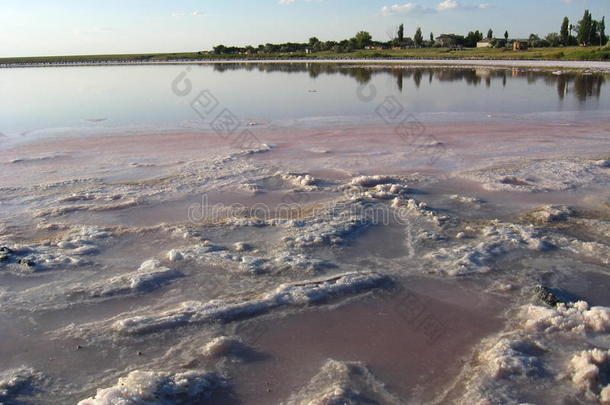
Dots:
pixel 583 86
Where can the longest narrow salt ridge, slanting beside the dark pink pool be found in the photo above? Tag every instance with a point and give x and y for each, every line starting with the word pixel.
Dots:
pixel 286 295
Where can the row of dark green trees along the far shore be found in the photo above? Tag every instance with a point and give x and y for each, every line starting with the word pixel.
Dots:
pixel 585 32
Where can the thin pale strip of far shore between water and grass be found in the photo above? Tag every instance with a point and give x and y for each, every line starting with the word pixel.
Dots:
pixel 598 66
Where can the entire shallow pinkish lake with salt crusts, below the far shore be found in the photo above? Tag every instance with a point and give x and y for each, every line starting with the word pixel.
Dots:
pixel 337 258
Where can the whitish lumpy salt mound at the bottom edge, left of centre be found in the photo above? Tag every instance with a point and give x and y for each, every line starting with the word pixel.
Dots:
pixel 153 387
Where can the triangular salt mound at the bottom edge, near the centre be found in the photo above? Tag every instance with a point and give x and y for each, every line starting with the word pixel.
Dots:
pixel 345 383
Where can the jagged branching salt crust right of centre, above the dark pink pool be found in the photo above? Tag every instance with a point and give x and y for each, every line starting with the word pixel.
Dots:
pixel 479 255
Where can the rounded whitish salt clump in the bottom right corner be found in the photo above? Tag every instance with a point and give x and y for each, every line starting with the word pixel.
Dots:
pixel 590 370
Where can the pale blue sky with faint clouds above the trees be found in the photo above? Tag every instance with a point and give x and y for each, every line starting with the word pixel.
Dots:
pixel 55 27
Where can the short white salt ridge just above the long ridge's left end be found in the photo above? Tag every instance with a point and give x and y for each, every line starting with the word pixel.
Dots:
pixel 150 276
